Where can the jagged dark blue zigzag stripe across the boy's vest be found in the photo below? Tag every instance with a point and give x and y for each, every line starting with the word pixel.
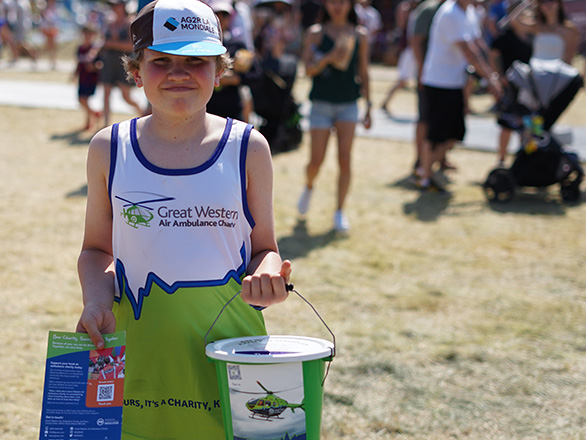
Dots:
pixel 153 279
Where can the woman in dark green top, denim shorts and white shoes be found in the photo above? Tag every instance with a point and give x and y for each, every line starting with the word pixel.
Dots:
pixel 336 56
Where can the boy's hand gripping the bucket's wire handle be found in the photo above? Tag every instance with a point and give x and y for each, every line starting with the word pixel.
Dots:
pixel 265 289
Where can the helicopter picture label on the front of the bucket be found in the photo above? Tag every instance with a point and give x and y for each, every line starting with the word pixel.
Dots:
pixel 267 401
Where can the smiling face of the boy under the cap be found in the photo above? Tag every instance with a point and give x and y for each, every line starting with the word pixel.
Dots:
pixel 177 83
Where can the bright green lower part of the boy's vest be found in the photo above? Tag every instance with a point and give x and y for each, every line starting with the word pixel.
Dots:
pixel 171 389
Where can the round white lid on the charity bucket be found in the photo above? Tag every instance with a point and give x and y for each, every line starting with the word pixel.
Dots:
pixel 270 349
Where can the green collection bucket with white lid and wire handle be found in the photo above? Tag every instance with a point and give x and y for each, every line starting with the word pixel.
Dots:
pixel 271 387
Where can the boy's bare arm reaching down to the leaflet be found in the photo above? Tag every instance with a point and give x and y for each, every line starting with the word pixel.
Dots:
pixel 95 264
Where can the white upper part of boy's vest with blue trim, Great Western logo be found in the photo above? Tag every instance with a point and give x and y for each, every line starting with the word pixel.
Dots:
pixel 178 227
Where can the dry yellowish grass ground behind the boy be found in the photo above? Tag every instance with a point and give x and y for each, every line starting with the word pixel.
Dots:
pixel 454 319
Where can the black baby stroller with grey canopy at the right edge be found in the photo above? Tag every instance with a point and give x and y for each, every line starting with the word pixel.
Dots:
pixel 537 96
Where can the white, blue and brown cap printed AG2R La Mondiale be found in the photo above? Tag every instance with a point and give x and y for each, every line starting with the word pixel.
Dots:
pixel 178 27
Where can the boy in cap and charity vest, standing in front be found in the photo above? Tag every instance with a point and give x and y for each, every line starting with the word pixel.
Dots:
pixel 179 219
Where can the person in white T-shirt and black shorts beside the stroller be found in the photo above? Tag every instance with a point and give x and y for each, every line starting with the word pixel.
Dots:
pixel 452 47
